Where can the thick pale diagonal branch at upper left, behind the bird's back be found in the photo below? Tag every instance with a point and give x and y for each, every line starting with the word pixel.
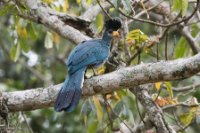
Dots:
pixel 61 23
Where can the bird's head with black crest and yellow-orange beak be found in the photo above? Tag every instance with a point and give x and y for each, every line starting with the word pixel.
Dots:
pixel 112 26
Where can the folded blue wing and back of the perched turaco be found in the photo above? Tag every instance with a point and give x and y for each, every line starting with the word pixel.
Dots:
pixel 88 53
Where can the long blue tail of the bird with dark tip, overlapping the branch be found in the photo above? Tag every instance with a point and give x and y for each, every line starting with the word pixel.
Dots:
pixel 70 93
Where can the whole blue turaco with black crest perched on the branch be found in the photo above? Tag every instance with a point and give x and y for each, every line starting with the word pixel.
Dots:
pixel 86 54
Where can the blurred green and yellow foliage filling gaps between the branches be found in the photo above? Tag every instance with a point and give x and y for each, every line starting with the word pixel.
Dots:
pixel 32 56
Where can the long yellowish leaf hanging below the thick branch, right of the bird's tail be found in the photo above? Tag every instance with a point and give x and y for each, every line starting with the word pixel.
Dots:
pixel 98 108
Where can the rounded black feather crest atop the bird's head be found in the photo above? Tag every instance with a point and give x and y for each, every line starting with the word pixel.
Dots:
pixel 113 24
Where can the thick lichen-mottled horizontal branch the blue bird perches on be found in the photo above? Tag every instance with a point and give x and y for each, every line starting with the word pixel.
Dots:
pixel 125 77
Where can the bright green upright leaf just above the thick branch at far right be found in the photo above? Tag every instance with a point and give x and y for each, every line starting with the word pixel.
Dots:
pixel 180 48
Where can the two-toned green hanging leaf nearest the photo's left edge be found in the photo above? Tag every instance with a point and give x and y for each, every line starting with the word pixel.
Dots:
pixel 15 52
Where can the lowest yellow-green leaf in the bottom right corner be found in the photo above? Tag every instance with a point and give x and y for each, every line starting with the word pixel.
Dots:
pixel 186 118
